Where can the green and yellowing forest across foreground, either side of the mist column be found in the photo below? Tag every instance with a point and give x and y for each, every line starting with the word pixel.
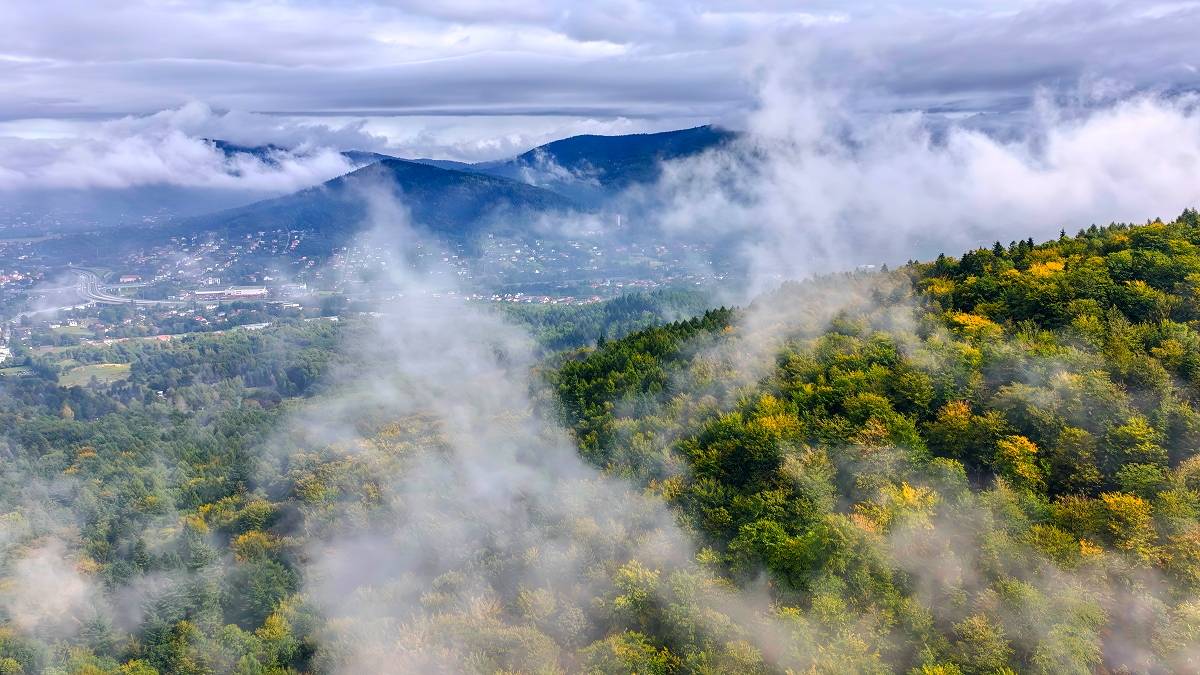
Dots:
pixel 985 464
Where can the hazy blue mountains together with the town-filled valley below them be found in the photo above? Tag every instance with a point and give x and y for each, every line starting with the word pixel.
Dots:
pixel 303 254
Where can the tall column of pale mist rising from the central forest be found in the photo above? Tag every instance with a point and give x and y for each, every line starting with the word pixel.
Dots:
pixel 476 500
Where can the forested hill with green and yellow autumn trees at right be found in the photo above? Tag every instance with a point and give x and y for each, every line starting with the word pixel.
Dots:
pixel 1001 475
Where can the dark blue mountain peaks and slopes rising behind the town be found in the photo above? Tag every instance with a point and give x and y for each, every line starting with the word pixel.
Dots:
pixel 460 200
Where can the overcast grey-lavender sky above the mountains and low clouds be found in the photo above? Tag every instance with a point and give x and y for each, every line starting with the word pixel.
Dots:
pixel 476 80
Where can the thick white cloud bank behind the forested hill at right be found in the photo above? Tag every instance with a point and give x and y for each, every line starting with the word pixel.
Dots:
pixel 814 187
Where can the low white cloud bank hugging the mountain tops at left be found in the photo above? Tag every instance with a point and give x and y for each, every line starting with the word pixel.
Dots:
pixel 171 147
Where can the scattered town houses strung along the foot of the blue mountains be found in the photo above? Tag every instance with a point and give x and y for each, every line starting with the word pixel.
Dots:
pixel 271 265
